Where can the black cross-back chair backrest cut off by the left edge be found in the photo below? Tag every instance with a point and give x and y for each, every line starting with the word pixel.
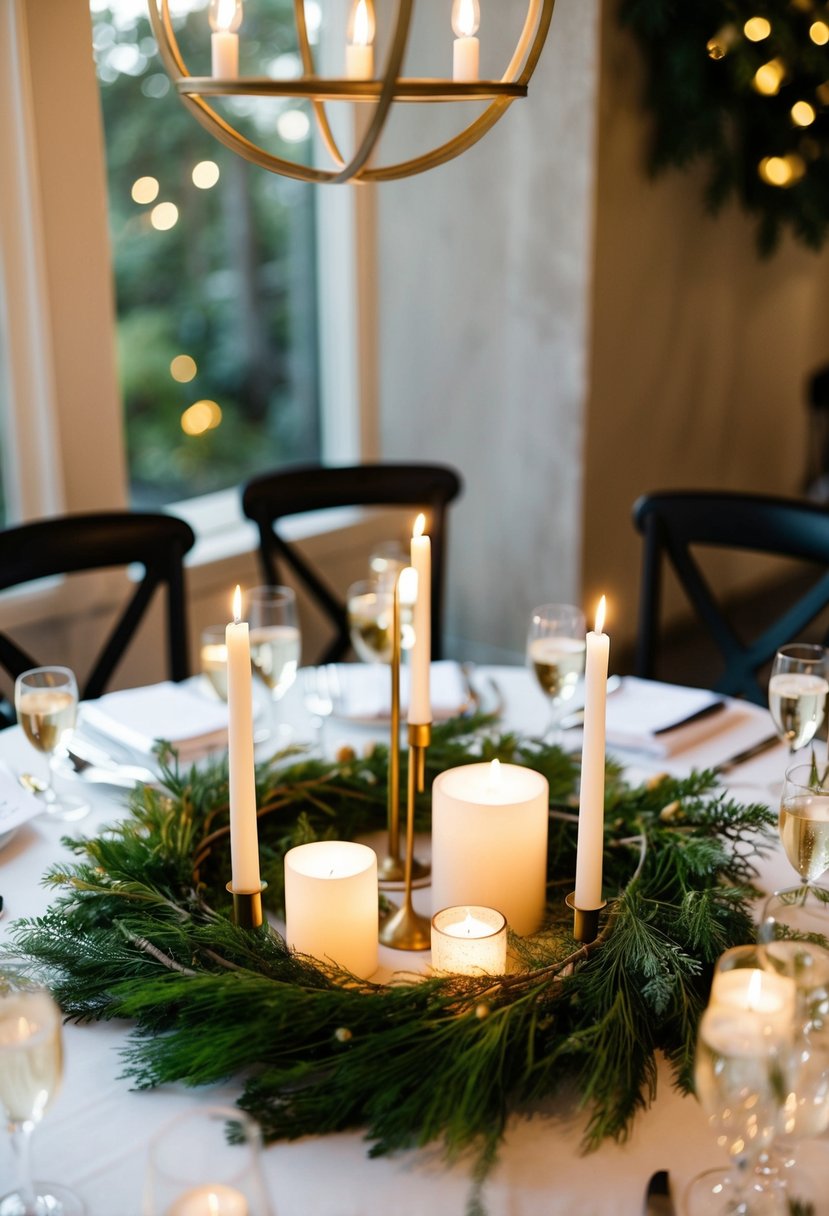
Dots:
pixel 70 544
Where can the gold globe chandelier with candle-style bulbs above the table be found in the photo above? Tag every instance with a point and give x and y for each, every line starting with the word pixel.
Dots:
pixel 360 85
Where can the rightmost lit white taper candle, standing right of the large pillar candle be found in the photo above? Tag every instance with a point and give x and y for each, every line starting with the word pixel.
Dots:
pixel 591 800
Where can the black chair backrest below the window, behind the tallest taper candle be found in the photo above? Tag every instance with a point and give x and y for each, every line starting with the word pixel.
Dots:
pixel 273 497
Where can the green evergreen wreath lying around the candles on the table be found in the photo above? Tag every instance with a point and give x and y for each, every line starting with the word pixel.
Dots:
pixel 142 930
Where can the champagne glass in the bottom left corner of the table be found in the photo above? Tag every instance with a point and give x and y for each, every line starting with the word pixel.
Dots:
pixel 31 1068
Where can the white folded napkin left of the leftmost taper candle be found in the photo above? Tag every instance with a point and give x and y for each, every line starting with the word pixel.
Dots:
pixel 137 718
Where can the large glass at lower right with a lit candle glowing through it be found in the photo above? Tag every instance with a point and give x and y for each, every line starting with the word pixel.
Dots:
pixel 740 1076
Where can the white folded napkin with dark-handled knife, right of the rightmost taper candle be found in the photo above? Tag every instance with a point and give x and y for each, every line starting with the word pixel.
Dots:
pixel 661 719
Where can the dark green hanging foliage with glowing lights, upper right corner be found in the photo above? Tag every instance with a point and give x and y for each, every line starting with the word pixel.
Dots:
pixel 743 86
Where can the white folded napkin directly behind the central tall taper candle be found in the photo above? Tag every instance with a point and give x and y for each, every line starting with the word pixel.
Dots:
pixel 365 691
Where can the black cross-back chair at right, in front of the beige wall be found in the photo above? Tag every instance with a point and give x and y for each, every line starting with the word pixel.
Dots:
pixel 674 523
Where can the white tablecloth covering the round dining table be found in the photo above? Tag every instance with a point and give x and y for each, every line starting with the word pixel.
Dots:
pixel 95 1135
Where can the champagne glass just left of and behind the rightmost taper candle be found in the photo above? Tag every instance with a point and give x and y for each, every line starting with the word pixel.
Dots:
pixel 556 654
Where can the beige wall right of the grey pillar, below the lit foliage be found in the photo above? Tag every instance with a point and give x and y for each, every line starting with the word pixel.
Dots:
pixel 701 351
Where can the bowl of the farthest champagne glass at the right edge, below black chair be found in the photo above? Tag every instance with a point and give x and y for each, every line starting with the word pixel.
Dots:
pixel 798 694
